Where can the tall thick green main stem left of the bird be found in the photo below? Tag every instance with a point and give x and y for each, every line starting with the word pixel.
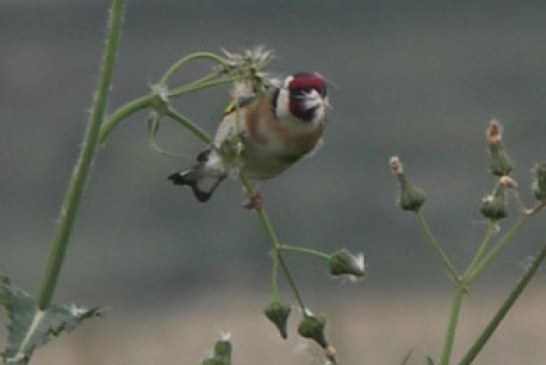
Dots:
pixel 72 198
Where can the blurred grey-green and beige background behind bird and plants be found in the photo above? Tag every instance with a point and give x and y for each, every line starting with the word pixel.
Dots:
pixel 417 79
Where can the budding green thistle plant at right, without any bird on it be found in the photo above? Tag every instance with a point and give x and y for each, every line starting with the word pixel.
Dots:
pixel 494 208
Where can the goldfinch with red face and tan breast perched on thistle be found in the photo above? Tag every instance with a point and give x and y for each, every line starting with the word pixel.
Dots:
pixel 275 129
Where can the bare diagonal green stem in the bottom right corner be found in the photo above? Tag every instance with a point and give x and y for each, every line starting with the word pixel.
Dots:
pixel 506 306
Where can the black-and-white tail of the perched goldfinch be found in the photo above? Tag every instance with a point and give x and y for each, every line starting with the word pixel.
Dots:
pixel 202 178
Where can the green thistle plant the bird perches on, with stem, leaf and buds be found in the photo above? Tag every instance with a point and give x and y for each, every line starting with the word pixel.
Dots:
pixel 34 321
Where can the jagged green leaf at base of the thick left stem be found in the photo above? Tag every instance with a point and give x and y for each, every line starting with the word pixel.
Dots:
pixel 29 327
